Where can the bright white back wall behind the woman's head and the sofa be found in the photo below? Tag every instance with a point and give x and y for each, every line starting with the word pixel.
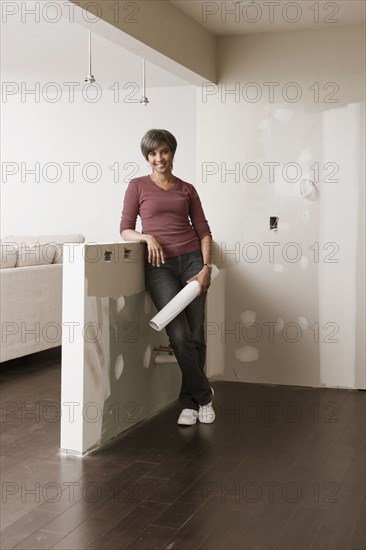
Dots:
pixel 106 133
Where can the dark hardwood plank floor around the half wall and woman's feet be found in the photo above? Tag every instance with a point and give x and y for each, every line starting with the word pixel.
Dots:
pixel 281 468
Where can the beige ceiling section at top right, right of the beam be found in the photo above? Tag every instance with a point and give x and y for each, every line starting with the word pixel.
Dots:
pixel 230 17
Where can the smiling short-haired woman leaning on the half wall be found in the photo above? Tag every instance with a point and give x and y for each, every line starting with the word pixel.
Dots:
pixel 179 249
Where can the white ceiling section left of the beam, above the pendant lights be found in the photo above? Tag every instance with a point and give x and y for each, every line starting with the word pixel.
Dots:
pixel 58 52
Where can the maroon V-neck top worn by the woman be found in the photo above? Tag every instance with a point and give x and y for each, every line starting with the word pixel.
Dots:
pixel 174 217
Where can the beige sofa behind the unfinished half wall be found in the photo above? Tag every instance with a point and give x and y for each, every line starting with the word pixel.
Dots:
pixel 31 293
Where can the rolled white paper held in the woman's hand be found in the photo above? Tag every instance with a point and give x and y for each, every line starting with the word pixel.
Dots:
pixel 178 303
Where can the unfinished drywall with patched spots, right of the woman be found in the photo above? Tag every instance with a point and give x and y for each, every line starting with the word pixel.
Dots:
pixel 298 98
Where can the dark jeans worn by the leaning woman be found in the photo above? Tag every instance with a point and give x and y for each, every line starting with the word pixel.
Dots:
pixel 186 332
